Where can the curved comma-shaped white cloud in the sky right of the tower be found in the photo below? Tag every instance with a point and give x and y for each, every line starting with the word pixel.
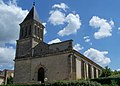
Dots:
pixel 74 24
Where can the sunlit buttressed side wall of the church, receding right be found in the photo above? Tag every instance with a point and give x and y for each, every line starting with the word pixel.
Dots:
pixel 85 69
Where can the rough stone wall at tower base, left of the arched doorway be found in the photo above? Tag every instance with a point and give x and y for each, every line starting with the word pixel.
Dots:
pixel 22 71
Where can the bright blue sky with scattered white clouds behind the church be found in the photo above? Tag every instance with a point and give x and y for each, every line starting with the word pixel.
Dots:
pixel 93 25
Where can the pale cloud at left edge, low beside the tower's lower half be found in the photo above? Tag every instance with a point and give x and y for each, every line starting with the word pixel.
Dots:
pixel 7 55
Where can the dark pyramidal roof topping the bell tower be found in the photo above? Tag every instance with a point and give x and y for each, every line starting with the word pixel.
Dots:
pixel 32 15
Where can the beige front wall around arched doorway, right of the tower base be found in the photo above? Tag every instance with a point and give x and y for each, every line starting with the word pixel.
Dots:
pixel 56 67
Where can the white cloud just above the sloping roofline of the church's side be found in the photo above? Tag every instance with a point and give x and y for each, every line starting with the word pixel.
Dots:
pixel 98 56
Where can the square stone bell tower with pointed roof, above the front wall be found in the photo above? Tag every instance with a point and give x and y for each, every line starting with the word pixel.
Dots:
pixel 31 33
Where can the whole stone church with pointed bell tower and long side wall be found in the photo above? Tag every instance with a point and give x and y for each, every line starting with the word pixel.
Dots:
pixel 37 61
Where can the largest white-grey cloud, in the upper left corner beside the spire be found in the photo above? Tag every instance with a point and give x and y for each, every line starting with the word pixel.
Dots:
pixel 9 25
